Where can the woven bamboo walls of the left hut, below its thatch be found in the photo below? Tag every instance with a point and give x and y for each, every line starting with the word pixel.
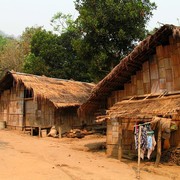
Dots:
pixel 18 111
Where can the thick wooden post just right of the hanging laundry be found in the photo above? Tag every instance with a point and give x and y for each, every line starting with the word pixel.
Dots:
pixel 158 156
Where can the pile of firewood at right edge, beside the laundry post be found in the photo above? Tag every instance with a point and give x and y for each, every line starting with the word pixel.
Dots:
pixel 172 155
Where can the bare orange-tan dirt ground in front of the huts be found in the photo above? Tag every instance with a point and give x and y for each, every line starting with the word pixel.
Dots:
pixel 33 158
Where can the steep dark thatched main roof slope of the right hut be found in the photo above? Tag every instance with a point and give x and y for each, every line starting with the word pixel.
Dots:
pixel 128 66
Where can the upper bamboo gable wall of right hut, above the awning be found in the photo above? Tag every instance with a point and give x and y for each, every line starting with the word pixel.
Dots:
pixel 158 74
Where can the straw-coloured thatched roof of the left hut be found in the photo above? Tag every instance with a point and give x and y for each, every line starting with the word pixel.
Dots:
pixel 62 93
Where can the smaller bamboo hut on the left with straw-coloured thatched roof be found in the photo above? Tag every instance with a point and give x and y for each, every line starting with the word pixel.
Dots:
pixel 30 101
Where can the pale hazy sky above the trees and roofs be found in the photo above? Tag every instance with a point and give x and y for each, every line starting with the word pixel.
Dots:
pixel 16 15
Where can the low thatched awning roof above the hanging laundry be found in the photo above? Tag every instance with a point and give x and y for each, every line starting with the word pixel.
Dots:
pixel 149 107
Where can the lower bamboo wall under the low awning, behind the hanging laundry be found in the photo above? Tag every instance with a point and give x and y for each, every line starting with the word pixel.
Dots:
pixel 124 128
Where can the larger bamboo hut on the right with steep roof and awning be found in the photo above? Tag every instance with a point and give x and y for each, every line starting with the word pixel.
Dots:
pixel 144 86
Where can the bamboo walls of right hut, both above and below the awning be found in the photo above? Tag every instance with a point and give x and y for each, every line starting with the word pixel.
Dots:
pixel 161 72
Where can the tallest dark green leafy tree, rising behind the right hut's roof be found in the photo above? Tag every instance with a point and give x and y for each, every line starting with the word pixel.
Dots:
pixel 109 29
